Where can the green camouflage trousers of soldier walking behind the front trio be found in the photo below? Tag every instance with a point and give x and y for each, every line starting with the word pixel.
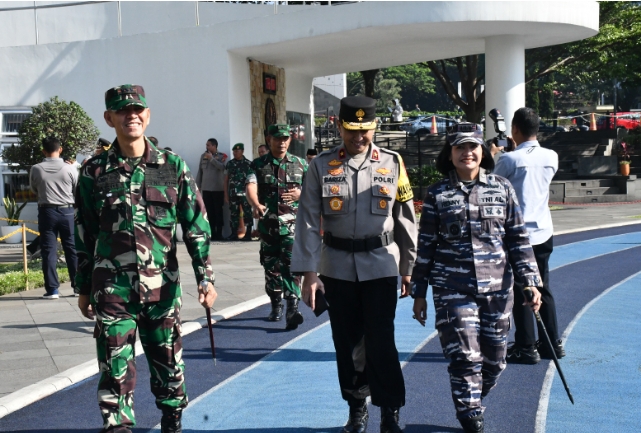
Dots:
pixel 276 258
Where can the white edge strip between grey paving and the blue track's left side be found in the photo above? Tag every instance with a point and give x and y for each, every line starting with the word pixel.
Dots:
pixel 32 393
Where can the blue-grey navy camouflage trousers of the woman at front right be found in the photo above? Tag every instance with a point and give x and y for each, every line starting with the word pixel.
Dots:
pixel 473 330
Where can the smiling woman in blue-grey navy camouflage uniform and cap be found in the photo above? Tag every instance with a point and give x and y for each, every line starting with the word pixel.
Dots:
pixel 472 240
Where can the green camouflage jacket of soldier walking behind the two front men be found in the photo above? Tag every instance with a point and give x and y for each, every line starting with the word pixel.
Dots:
pixel 274 177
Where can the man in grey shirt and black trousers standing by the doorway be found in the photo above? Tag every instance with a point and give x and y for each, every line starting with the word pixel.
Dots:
pixel 211 180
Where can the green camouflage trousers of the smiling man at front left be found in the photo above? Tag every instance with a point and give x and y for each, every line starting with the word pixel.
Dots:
pixel 115 333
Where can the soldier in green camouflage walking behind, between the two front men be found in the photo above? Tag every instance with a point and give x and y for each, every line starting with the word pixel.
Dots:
pixel 273 190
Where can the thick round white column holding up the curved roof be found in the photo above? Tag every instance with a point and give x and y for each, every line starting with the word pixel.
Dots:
pixel 504 78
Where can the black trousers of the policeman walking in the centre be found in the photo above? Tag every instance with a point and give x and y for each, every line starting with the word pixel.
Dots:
pixel 362 315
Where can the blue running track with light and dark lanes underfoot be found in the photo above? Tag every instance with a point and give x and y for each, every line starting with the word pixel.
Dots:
pixel 268 380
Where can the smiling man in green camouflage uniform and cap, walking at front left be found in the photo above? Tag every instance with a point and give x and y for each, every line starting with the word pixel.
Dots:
pixel 128 201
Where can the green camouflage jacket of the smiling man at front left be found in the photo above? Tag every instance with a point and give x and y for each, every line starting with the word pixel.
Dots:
pixel 126 225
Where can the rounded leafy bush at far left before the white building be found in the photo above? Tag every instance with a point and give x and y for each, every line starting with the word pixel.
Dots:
pixel 66 121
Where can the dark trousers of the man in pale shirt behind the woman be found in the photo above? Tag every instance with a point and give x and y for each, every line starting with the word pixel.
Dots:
pixel 523 317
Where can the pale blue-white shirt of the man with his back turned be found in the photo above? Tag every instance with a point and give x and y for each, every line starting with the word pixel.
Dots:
pixel 530 169
